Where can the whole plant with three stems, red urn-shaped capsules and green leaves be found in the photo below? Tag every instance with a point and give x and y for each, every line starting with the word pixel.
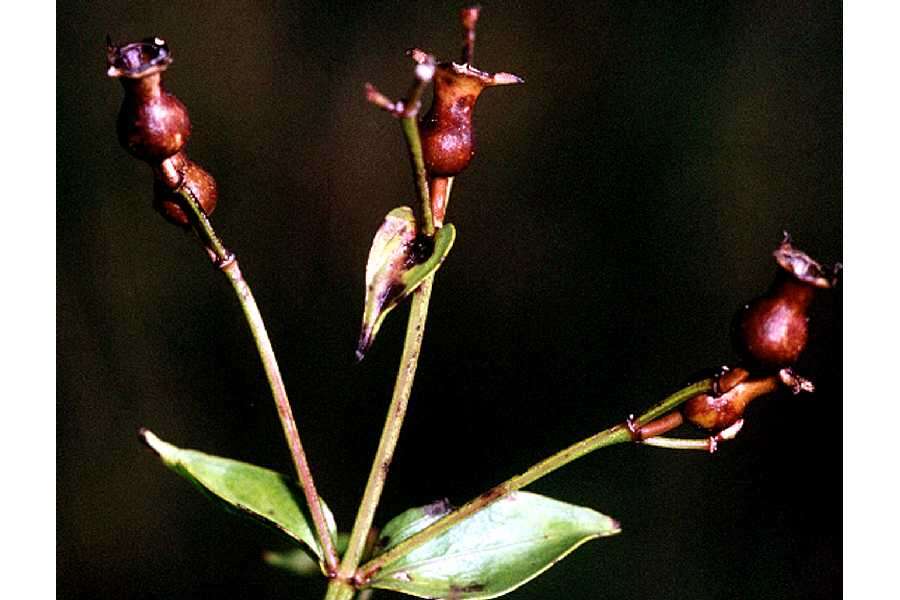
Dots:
pixel 504 537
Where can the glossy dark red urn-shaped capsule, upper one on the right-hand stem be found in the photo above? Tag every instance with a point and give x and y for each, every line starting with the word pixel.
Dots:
pixel 772 331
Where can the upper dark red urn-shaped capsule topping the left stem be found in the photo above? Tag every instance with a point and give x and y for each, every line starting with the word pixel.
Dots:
pixel 152 124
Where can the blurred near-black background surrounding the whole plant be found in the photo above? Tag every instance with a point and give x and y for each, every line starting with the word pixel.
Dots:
pixel 622 204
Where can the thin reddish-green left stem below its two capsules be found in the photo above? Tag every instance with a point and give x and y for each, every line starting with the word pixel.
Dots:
pixel 228 264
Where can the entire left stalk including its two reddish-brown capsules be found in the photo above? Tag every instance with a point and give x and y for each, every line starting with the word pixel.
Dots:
pixel 154 126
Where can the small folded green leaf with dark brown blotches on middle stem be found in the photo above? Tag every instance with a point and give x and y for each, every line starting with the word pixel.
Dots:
pixel 399 261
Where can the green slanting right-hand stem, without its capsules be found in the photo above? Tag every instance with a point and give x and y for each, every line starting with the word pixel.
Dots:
pixel 614 435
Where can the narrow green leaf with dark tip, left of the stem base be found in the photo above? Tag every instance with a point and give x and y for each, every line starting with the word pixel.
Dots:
pixel 266 496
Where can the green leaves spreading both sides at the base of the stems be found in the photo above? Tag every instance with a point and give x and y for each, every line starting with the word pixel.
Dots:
pixel 486 555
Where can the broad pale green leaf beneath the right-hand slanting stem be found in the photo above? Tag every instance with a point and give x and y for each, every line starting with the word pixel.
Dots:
pixel 491 552
